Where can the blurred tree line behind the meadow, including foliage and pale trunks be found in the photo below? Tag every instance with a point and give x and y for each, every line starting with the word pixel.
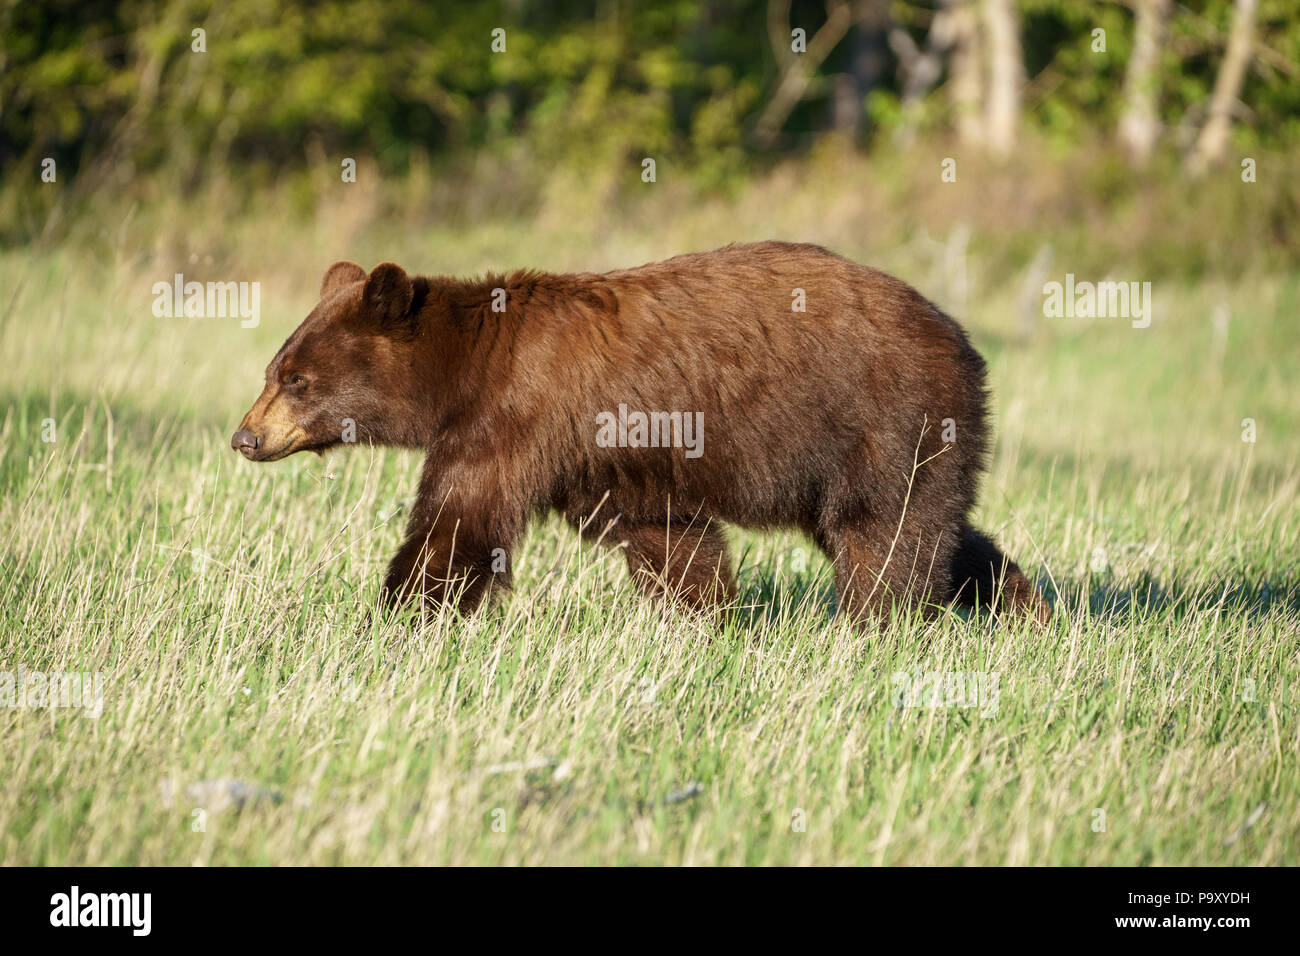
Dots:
pixel 141 85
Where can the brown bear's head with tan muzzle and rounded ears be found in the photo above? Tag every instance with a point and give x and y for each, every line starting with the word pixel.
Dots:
pixel 339 378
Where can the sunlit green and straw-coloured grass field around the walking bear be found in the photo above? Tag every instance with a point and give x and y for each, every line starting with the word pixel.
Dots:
pixel 227 604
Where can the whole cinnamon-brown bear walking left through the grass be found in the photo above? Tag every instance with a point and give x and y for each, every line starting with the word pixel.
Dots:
pixel 764 386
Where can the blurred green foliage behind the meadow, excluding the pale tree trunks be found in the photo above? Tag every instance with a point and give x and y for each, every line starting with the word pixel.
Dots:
pixel 579 85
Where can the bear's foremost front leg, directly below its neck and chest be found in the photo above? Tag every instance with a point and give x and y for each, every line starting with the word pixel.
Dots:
pixel 458 544
